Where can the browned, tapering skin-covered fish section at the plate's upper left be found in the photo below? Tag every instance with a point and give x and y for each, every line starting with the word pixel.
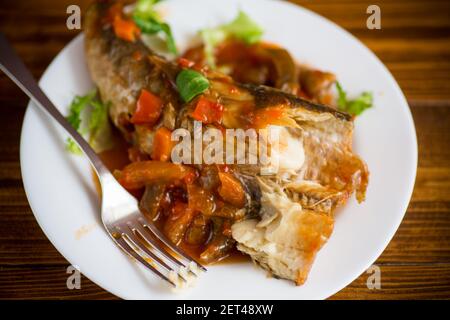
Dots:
pixel 119 76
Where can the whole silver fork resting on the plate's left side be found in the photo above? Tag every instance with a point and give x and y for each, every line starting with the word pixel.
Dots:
pixel 121 216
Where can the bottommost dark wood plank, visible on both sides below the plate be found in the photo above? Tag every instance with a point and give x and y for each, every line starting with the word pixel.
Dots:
pixel 397 282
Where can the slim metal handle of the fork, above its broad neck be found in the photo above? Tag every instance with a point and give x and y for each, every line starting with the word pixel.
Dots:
pixel 15 69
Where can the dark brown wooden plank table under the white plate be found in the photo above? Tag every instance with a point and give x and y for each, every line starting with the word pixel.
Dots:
pixel 414 43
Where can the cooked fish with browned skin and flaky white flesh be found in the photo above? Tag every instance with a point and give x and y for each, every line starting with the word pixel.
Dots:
pixel 289 215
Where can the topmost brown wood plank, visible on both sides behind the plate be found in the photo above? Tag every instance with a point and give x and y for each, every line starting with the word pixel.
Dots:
pixel 414 41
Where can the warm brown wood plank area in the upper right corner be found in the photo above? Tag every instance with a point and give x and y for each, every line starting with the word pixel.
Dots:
pixel 414 40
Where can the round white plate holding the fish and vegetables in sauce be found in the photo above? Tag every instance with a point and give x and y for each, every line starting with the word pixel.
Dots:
pixel 61 192
